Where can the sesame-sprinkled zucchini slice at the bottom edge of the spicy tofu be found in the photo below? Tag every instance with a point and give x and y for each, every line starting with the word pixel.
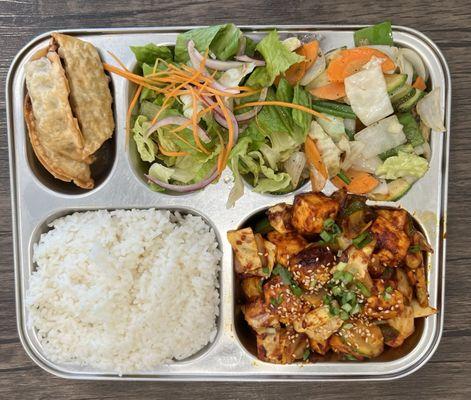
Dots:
pixel 360 340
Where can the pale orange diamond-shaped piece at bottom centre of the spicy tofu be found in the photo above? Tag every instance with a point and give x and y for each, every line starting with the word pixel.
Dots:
pixel 319 324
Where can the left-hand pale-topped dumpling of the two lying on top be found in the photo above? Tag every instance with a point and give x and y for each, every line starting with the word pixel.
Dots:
pixel 49 93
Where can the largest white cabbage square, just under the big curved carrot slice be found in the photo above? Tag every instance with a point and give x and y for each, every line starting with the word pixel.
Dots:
pixel 367 93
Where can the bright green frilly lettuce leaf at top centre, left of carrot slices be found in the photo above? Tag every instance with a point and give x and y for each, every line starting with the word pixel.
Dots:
pixel 277 58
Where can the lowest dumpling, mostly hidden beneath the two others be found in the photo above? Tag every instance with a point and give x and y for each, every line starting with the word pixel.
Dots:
pixel 60 167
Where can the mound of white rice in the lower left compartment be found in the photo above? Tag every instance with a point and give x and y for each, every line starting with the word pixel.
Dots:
pixel 125 291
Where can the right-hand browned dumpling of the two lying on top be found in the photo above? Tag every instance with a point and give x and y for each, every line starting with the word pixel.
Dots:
pixel 90 95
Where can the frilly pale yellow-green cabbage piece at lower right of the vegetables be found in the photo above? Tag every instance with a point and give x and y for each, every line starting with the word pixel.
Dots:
pixel 403 165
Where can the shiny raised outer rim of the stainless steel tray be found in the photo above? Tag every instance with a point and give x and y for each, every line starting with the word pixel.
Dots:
pixel 421 360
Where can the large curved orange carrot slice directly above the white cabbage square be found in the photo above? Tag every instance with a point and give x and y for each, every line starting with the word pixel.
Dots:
pixel 350 61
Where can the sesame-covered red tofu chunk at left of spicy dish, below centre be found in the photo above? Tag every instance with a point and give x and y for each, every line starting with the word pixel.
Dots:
pixel 280 299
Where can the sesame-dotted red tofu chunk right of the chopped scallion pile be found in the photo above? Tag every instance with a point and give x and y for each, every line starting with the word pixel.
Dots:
pixel 385 302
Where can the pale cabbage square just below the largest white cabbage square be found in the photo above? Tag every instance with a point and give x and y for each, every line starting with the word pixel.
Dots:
pixel 381 136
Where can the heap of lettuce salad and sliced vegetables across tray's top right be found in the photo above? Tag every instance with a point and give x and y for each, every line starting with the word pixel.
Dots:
pixel 281 111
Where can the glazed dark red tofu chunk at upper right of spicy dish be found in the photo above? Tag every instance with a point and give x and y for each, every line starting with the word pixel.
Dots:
pixel 391 239
